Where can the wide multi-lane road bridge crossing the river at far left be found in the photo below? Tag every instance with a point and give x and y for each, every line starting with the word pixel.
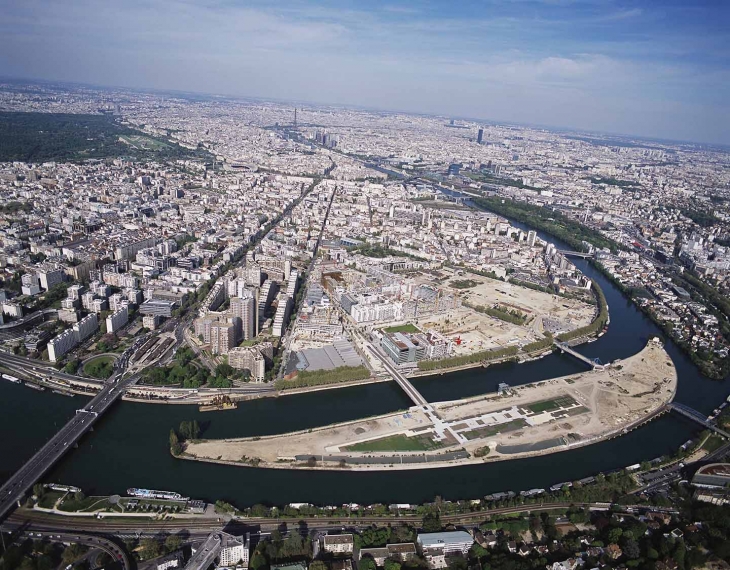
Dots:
pixel 18 485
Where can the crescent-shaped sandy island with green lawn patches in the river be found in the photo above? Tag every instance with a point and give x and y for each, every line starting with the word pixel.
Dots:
pixel 534 419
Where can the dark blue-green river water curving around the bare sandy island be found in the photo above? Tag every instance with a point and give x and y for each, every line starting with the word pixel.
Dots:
pixel 129 446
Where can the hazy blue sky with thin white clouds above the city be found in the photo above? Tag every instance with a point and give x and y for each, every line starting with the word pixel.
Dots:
pixel 656 68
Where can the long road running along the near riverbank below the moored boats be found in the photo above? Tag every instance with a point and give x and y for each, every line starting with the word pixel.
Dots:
pixel 32 520
